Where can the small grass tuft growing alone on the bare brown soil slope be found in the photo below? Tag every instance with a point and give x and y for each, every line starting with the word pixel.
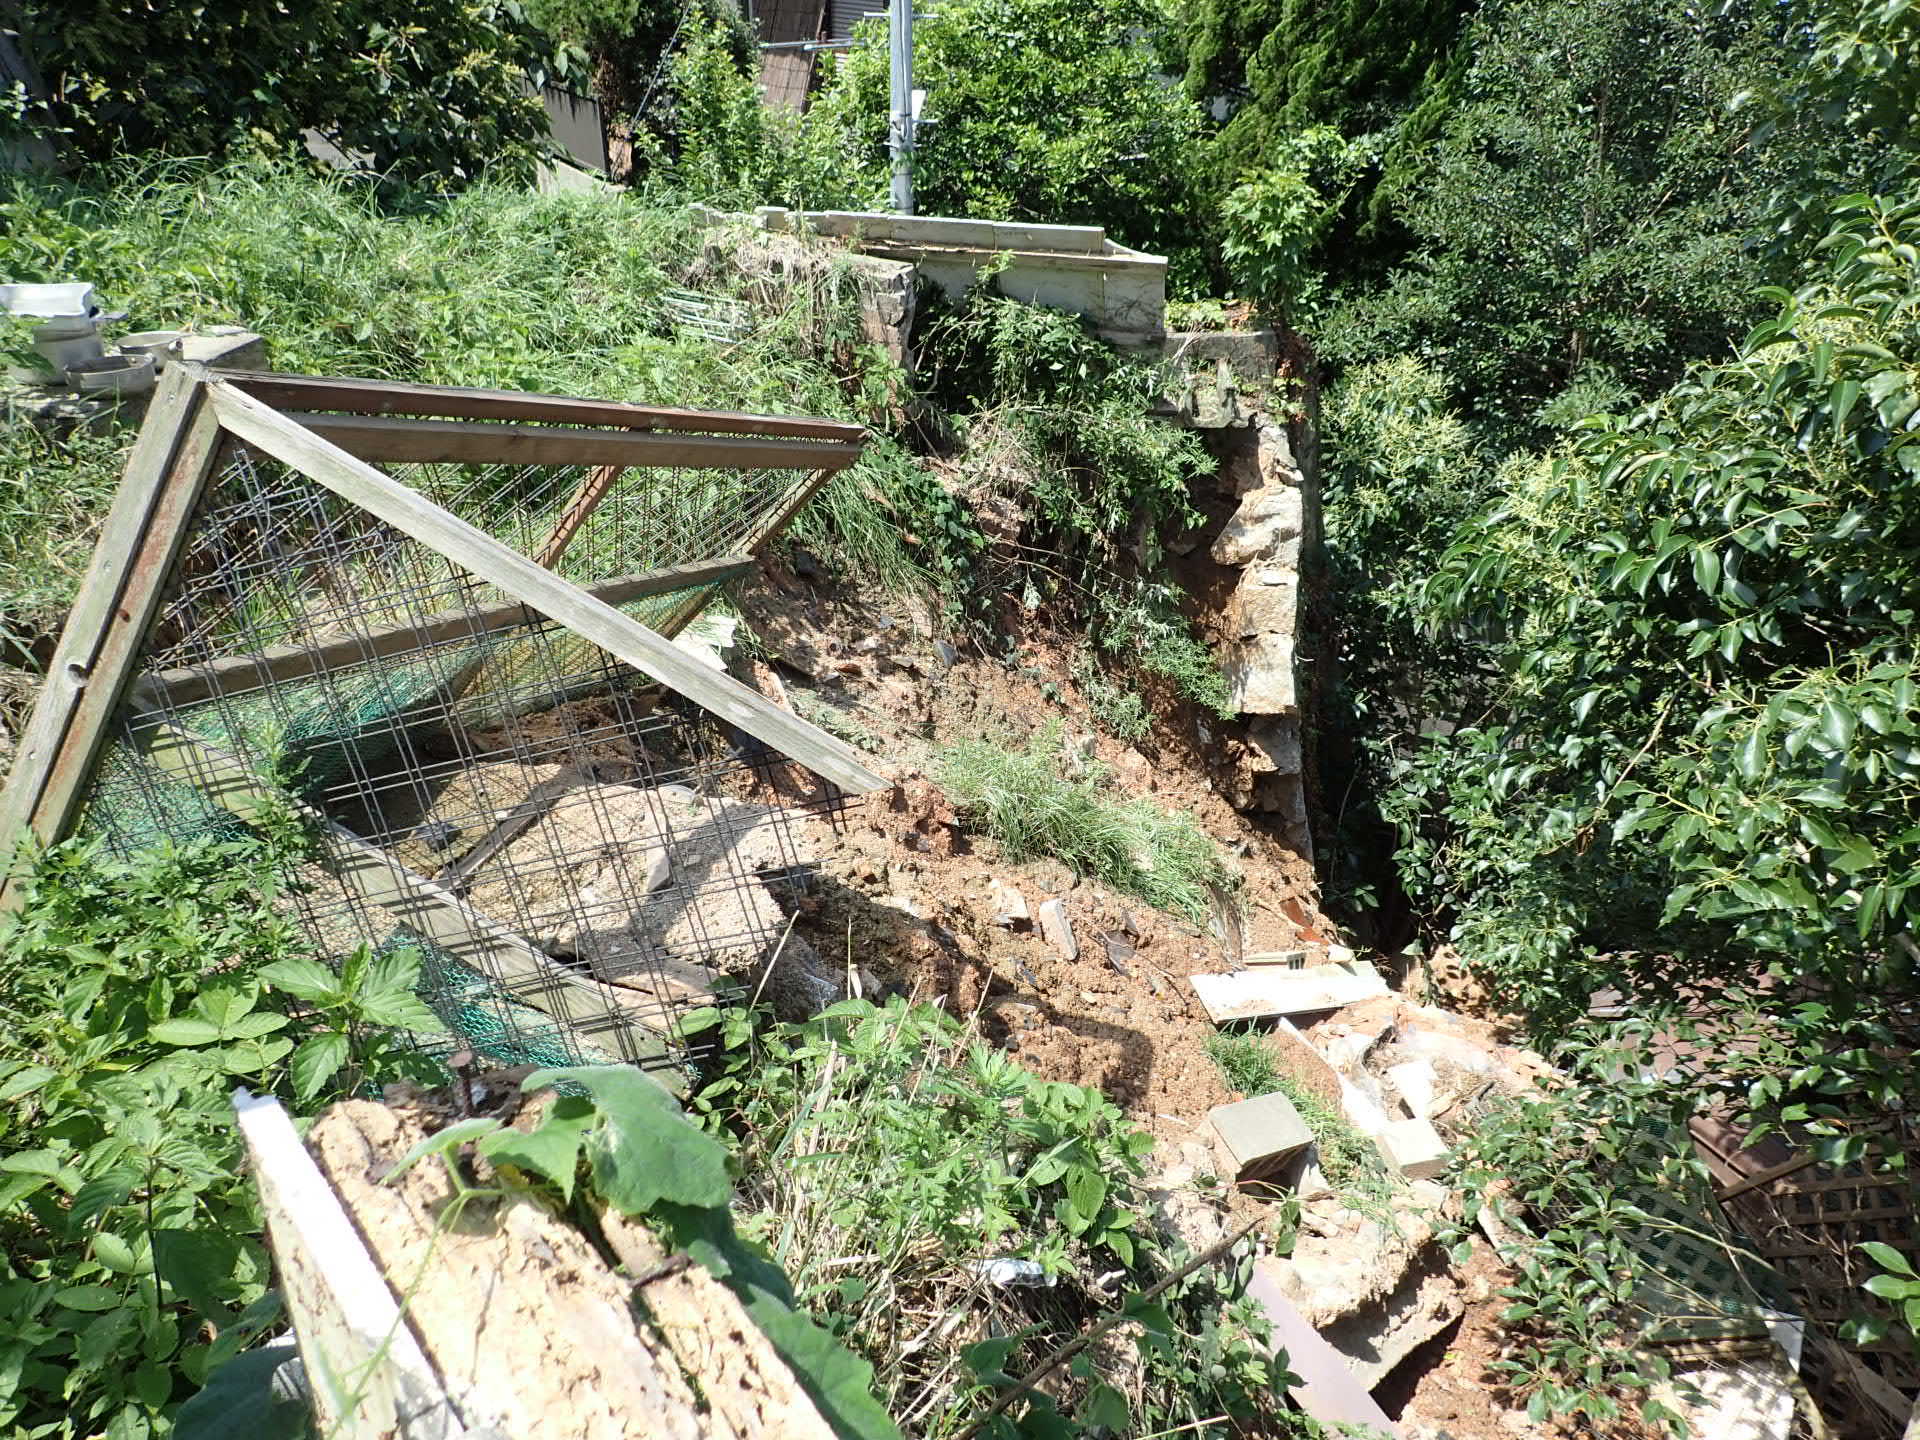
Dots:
pixel 1030 804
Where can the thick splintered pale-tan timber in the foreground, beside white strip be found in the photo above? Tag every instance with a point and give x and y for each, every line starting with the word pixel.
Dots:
pixel 533 1333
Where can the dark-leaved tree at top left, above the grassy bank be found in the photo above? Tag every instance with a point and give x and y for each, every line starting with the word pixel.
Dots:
pixel 429 89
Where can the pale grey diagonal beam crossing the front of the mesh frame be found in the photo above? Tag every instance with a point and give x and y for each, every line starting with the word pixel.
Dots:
pixel 521 579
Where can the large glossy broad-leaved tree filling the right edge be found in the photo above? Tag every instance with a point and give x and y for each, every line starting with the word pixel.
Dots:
pixel 1704 779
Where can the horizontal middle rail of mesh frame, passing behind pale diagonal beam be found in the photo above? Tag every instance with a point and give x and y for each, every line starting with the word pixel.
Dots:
pixel 299 663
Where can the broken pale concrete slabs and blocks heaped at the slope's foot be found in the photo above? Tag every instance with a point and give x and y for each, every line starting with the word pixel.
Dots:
pixel 1372 1280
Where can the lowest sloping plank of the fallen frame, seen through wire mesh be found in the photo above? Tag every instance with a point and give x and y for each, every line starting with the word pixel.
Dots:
pixel 583 1005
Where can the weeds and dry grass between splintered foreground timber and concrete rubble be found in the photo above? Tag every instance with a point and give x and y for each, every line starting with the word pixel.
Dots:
pixel 953 1218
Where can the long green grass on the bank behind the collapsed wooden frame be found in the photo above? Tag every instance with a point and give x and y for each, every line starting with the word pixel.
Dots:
pixel 487 289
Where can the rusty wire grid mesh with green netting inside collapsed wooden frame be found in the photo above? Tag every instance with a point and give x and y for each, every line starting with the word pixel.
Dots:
pixel 577 852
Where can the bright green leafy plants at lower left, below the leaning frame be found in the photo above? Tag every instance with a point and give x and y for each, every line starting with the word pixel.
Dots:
pixel 137 997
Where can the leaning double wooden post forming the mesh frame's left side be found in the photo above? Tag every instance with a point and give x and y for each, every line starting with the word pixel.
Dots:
pixel 101 642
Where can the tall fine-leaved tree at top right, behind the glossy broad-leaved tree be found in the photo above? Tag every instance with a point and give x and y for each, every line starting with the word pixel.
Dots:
pixel 1587 218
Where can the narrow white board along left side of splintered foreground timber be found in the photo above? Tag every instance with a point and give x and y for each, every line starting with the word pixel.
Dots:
pixel 366 1370
